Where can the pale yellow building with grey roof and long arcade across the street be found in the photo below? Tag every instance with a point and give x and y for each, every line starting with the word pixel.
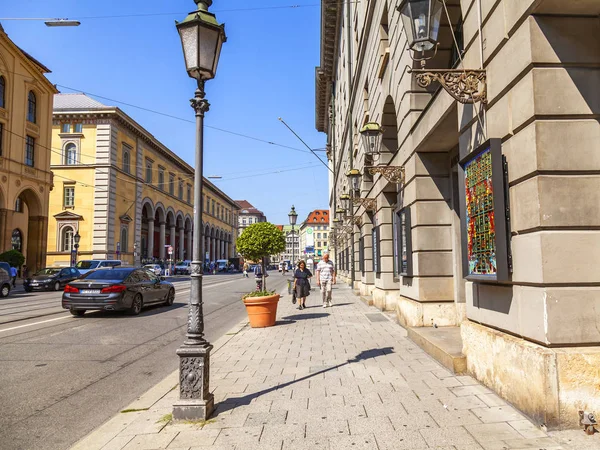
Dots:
pixel 126 194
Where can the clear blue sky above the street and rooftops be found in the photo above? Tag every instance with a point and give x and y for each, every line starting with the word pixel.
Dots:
pixel 266 71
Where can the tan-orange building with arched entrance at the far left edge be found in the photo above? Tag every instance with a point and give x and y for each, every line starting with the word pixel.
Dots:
pixel 25 177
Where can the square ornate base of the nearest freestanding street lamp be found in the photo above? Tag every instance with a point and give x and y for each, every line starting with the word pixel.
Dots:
pixel 195 400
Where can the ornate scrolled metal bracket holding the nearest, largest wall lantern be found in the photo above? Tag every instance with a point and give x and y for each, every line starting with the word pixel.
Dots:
pixel 466 86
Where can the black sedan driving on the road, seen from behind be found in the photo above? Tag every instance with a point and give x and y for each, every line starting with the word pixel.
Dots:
pixel 116 289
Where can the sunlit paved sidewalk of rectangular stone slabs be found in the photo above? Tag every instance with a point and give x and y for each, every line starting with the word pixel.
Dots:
pixel 345 377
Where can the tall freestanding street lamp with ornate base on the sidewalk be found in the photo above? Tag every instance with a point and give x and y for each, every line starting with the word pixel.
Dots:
pixel 201 38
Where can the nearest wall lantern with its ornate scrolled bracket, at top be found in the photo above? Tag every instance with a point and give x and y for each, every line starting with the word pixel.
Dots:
pixel 421 20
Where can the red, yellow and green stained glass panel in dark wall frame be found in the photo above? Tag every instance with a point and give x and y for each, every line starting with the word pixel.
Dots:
pixel 480 218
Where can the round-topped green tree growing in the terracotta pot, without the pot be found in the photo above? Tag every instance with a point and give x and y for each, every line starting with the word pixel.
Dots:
pixel 260 240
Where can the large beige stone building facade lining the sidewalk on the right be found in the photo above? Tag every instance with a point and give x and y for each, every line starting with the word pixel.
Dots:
pixel 541 322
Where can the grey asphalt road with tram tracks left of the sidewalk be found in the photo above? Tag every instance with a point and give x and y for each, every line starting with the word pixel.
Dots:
pixel 61 377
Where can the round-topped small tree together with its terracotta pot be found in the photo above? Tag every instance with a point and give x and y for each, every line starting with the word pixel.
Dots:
pixel 257 242
